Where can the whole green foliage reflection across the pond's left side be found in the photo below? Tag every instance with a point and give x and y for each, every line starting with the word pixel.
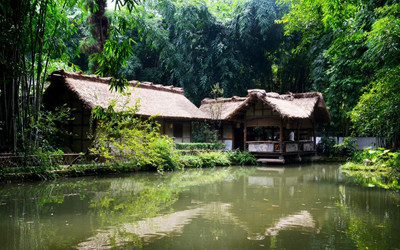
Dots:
pixel 61 213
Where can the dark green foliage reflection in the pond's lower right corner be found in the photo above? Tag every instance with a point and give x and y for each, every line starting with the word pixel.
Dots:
pixel 370 217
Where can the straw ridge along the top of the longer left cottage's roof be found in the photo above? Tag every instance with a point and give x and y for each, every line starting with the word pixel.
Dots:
pixel 106 80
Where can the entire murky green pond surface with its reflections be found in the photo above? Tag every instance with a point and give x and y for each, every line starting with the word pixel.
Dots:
pixel 296 207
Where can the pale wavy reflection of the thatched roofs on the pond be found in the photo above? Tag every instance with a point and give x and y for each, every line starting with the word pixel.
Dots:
pixel 166 225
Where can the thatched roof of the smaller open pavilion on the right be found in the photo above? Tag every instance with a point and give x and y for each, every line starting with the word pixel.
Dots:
pixel 293 106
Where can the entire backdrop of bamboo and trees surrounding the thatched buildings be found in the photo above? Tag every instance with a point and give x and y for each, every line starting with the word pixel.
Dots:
pixel 347 50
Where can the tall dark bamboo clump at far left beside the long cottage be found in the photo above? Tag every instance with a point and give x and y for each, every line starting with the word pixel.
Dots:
pixel 31 42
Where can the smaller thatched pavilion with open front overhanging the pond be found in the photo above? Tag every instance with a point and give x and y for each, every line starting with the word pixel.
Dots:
pixel 269 124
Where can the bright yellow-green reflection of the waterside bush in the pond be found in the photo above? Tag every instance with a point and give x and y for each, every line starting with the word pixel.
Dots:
pixel 151 197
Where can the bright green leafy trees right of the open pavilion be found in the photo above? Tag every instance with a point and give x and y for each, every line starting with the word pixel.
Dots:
pixel 354 49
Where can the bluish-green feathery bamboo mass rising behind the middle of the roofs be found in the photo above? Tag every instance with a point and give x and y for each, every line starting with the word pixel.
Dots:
pixel 193 45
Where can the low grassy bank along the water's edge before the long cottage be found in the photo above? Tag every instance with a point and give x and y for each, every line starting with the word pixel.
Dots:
pixel 180 161
